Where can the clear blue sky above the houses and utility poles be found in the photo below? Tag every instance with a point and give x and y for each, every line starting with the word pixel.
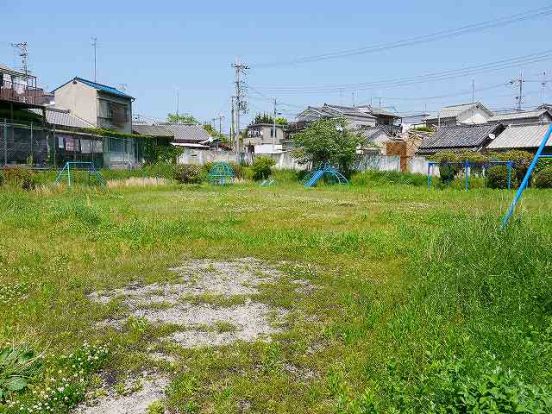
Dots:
pixel 156 48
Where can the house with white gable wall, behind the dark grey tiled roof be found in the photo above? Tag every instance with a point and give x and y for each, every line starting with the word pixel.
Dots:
pixel 464 114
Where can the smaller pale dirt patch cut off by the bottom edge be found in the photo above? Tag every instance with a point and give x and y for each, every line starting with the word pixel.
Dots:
pixel 151 388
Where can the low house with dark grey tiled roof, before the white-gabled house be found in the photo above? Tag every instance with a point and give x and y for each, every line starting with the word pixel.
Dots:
pixel 460 138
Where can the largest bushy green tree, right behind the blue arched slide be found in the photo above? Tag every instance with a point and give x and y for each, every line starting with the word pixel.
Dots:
pixel 327 141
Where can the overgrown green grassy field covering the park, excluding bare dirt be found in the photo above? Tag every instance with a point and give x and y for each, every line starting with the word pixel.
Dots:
pixel 421 303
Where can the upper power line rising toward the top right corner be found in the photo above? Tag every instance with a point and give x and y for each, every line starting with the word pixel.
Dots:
pixel 426 38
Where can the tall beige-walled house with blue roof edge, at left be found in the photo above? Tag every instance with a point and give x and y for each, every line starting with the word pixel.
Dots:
pixel 100 105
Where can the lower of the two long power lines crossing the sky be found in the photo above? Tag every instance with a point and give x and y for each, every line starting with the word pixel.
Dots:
pixel 430 77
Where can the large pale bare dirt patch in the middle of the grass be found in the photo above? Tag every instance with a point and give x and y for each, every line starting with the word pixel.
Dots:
pixel 204 325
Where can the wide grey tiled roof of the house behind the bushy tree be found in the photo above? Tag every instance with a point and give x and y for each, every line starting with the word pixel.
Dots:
pixel 355 117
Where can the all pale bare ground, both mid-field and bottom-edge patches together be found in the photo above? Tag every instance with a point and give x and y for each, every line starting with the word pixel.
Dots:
pixel 202 304
